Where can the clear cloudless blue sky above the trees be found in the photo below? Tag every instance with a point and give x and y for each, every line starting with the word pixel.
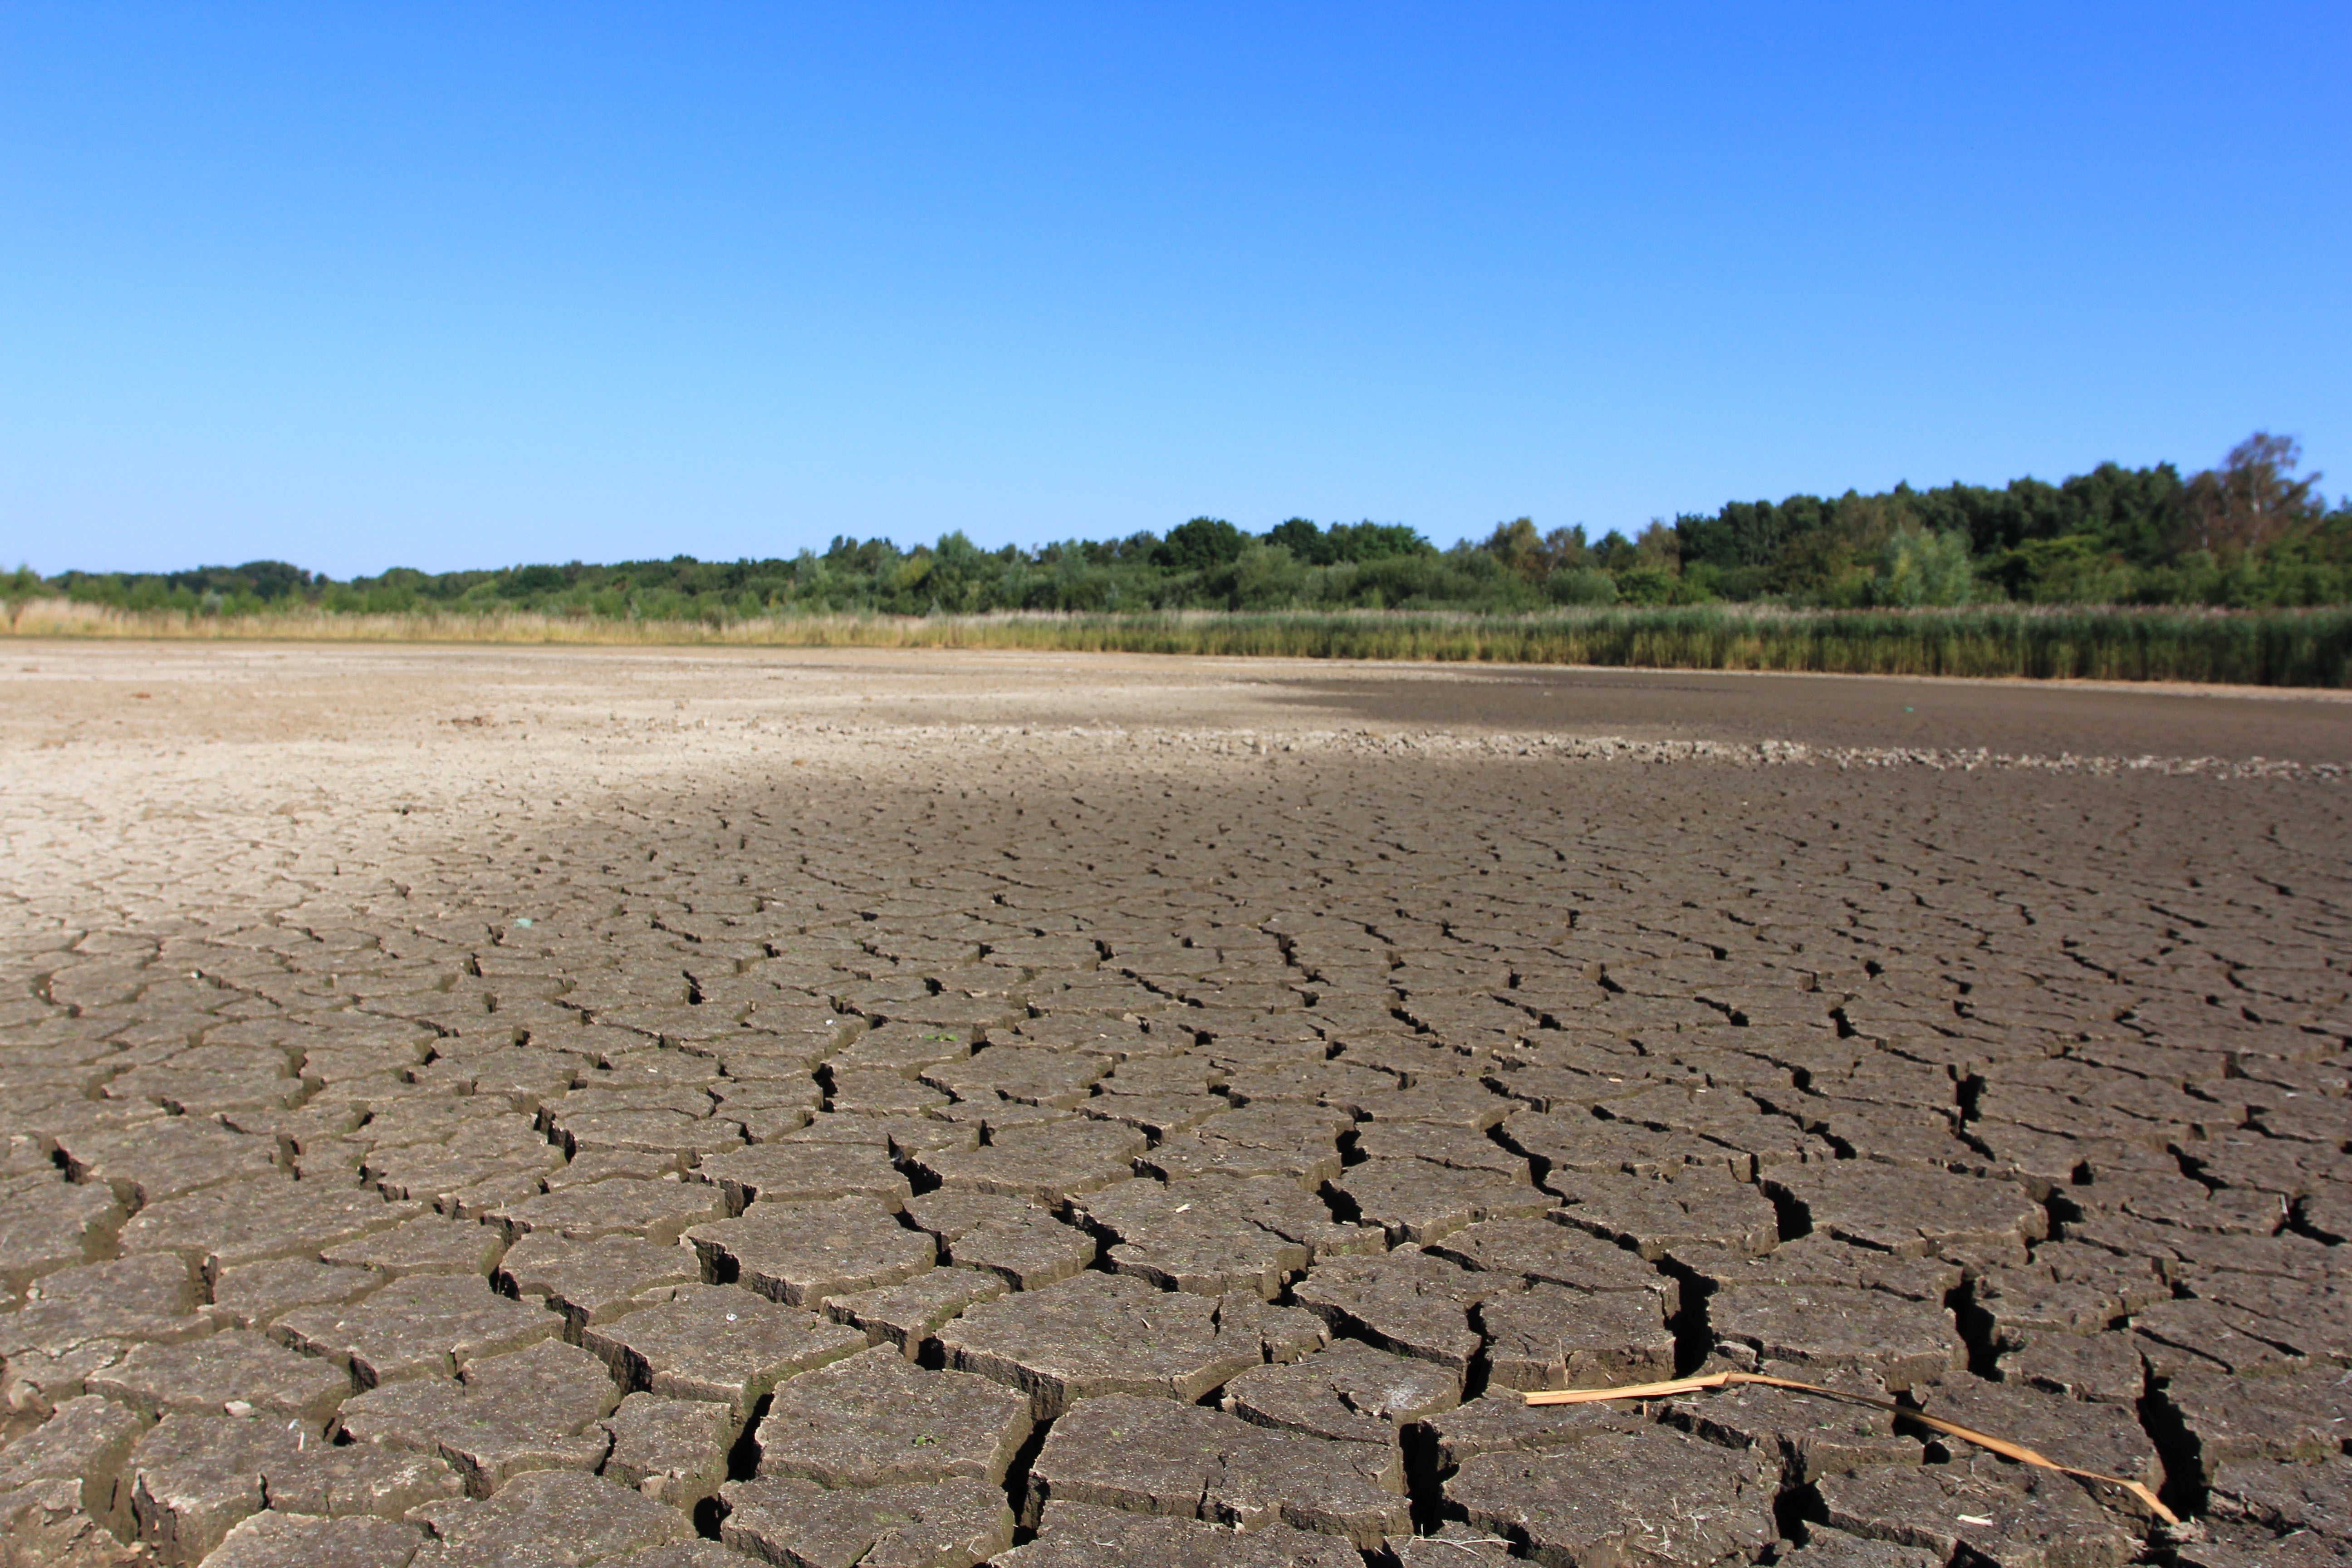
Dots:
pixel 465 286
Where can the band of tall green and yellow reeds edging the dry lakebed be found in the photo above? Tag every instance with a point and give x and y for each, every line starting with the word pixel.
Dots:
pixel 2297 648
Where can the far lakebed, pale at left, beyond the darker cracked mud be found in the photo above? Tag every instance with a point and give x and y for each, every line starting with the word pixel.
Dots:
pixel 250 770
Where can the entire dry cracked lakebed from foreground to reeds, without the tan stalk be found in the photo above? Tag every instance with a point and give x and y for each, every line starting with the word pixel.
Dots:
pixel 933 1111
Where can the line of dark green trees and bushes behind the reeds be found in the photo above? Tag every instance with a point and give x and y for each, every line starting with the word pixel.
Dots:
pixel 2250 532
